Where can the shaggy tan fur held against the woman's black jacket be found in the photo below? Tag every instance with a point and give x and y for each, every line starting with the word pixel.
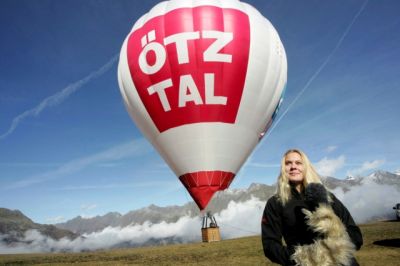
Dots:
pixel 335 246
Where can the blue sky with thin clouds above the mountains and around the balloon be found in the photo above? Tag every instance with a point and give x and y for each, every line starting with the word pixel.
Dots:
pixel 68 146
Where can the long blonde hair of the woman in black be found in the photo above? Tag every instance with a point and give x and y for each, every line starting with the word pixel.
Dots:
pixel 310 176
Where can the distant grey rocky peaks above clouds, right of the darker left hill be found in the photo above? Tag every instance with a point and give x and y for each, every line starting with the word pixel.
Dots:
pixel 219 202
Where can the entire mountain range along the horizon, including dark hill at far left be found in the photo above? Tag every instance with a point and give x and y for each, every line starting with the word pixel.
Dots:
pixel 14 224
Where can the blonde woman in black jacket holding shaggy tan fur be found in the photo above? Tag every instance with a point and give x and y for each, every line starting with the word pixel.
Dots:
pixel 316 227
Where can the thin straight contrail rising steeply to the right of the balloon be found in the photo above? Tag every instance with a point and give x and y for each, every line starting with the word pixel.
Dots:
pixel 339 43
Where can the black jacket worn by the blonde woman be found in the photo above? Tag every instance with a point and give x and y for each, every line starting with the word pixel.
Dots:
pixel 289 222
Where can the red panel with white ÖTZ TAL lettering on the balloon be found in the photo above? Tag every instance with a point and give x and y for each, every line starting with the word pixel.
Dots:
pixel 189 65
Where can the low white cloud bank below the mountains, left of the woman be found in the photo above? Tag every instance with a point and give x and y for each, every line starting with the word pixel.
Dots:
pixel 186 229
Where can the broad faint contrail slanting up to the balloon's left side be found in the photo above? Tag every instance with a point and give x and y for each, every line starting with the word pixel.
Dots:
pixel 59 97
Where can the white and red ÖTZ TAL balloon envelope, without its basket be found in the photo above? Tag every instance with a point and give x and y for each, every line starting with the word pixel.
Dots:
pixel 203 81
